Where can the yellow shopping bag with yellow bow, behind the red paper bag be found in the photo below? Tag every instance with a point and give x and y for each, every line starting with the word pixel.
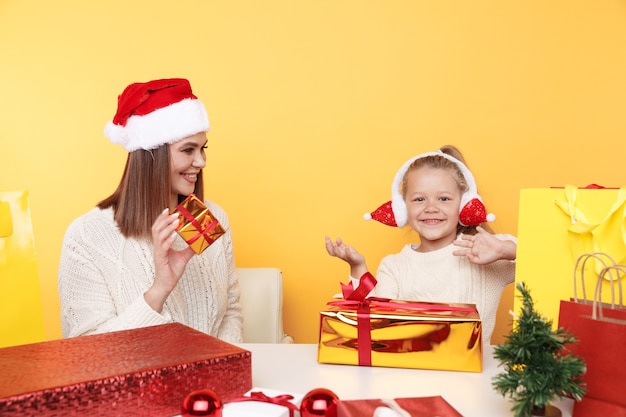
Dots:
pixel 558 225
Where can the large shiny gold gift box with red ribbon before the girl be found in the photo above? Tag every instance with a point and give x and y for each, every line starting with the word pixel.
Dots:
pixel 401 334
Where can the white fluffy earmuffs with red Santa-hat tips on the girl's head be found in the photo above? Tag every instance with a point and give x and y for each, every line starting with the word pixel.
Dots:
pixel 394 213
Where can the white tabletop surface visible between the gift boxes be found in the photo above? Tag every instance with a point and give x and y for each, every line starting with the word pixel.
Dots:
pixel 293 368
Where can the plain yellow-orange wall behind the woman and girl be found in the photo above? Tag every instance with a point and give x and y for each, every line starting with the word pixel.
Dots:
pixel 314 105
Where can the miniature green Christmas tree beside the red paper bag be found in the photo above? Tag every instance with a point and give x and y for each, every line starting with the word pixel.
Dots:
pixel 537 366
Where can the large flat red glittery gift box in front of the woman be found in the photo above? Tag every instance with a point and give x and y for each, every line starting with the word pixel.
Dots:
pixel 146 371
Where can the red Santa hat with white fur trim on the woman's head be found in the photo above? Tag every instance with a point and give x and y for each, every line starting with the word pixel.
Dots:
pixel 155 113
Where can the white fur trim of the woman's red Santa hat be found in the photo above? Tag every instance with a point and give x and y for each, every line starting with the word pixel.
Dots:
pixel 162 126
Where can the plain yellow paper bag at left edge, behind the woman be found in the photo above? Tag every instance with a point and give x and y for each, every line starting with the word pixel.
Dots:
pixel 21 316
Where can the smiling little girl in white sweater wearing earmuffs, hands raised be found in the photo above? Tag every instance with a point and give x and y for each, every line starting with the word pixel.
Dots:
pixel 458 259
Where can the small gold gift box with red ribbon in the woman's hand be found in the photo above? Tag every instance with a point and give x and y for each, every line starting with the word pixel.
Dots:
pixel 198 226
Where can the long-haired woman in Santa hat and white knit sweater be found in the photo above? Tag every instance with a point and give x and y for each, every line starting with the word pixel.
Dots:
pixel 122 264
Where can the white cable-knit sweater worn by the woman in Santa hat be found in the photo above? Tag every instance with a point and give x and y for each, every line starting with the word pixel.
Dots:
pixel 103 277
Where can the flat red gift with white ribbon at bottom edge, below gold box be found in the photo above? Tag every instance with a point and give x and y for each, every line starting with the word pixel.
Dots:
pixel 416 407
